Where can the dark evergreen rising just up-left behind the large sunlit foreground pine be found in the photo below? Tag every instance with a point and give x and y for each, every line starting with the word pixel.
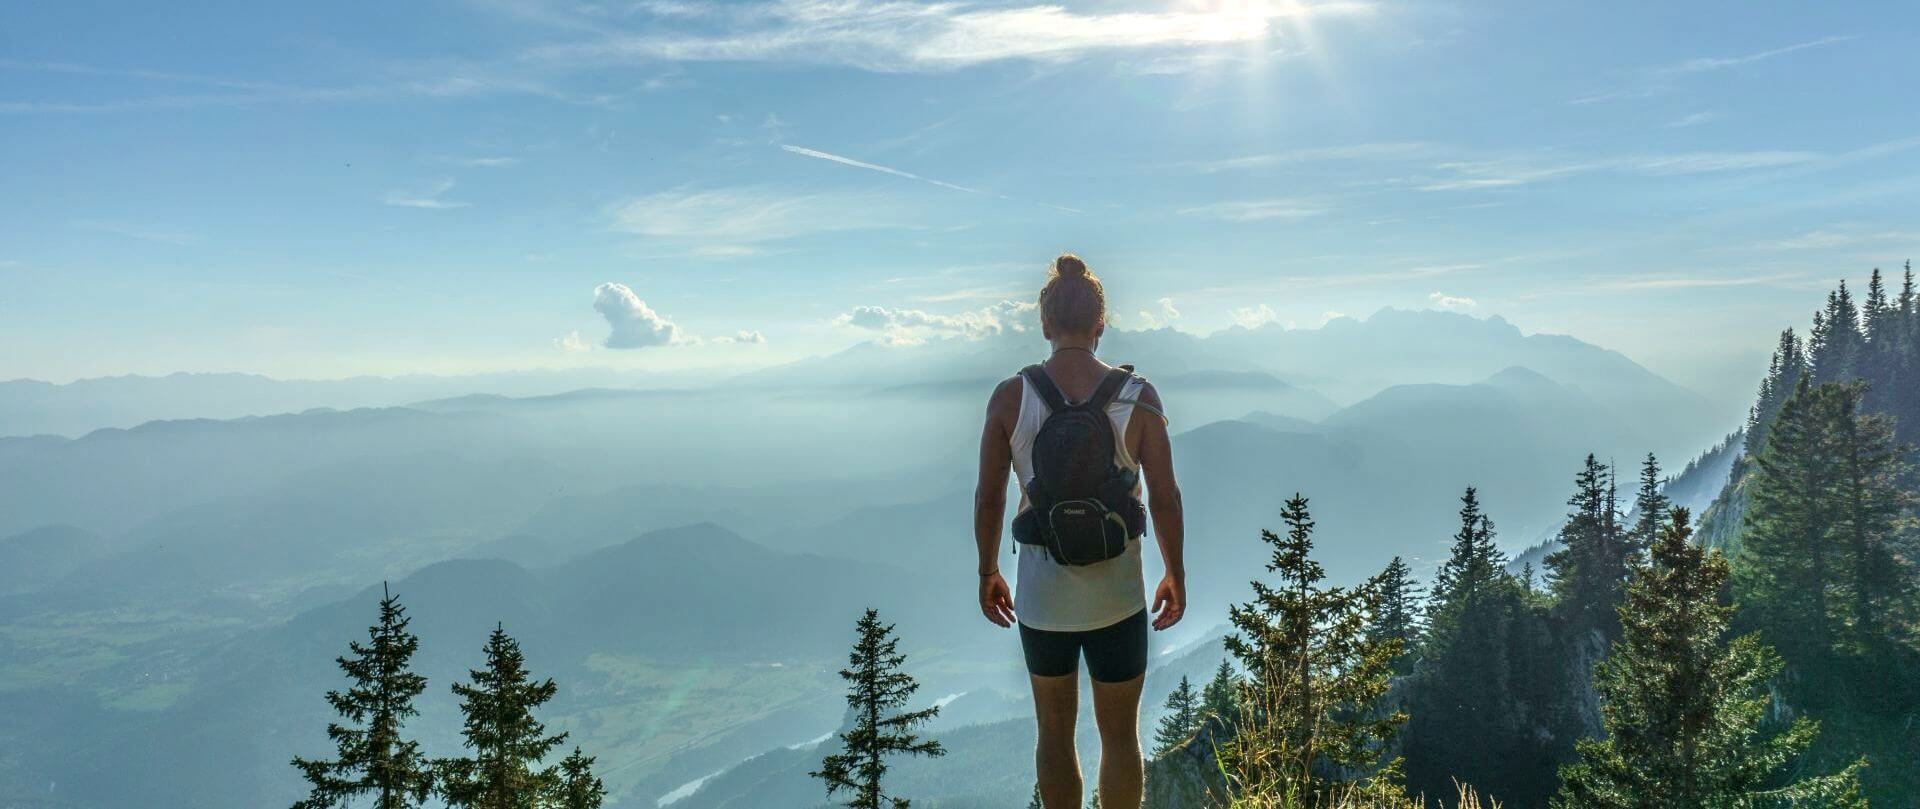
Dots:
pixel 1589 570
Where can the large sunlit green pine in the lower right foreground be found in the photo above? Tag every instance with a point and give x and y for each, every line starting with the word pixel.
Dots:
pixel 1685 708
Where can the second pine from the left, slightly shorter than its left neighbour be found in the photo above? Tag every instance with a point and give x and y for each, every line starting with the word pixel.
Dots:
pixel 506 741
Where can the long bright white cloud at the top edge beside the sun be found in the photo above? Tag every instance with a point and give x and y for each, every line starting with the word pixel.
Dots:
pixel 905 36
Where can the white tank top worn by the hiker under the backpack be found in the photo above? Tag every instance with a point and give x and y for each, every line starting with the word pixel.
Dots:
pixel 1065 599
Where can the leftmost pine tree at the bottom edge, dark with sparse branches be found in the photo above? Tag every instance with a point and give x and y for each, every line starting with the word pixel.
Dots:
pixel 372 754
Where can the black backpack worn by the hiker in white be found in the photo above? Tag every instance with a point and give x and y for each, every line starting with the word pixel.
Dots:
pixel 1082 503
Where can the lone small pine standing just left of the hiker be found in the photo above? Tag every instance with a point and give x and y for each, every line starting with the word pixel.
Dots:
pixel 876 691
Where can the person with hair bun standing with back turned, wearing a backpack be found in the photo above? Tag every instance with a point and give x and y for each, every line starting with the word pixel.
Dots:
pixel 1078 533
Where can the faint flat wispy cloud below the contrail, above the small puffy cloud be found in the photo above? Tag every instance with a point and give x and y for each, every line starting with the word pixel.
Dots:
pixel 746 216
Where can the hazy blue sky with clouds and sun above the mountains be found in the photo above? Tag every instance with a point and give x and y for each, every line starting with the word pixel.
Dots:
pixel 368 187
